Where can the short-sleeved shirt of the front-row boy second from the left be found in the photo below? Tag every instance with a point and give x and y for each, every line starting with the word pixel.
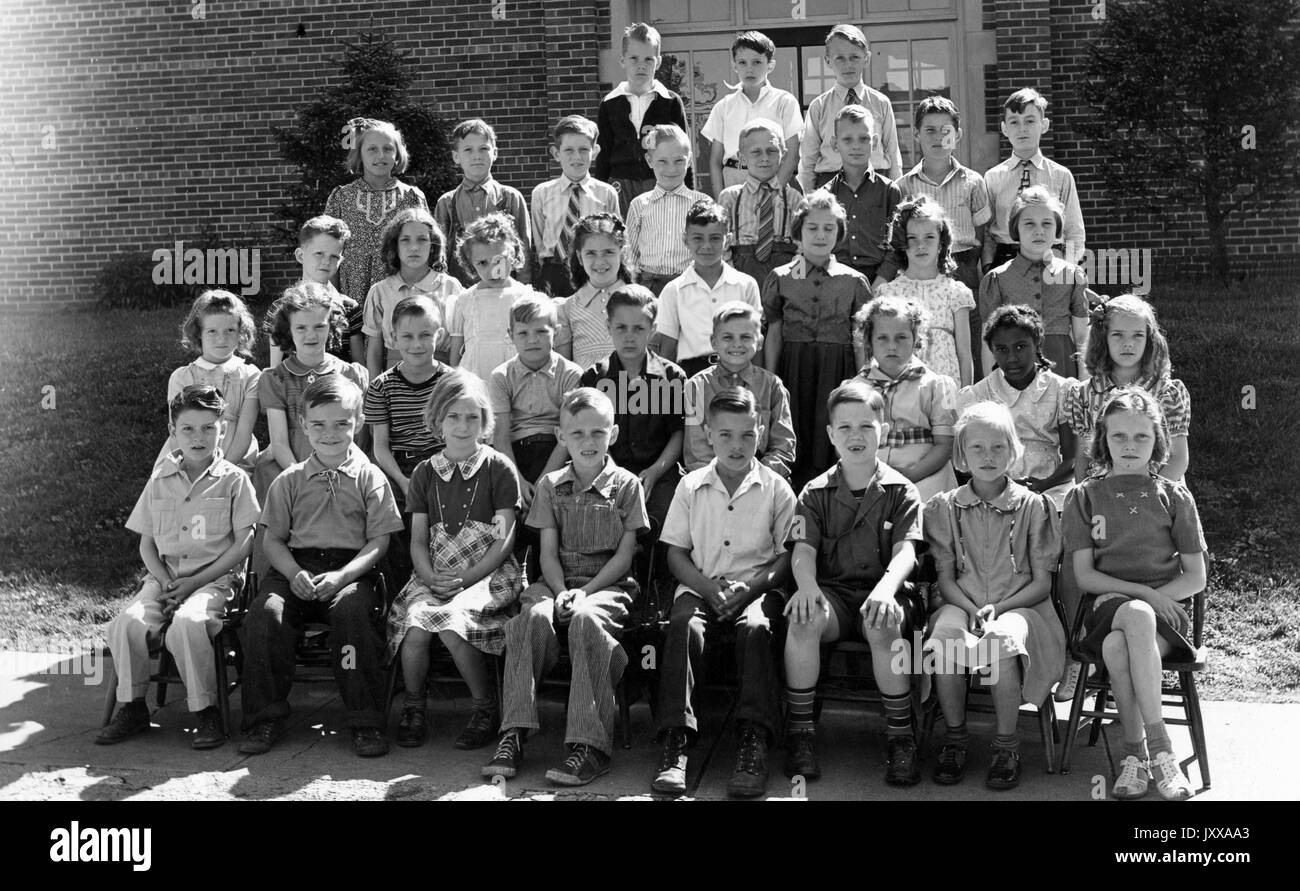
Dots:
pixel 311 505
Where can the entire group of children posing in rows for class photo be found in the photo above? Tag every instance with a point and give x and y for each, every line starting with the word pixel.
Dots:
pixel 618 366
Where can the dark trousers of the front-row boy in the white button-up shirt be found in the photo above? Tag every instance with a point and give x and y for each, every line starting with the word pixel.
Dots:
pixel 760 642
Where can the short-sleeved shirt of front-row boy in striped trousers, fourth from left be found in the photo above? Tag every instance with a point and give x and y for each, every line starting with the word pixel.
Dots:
pixel 591 522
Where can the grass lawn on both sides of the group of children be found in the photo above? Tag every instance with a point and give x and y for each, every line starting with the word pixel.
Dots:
pixel 71 474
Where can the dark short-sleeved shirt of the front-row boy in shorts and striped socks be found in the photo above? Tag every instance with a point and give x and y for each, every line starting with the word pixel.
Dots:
pixel 853 538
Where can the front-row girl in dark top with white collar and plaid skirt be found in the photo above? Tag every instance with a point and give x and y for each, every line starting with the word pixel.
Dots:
pixel 466 581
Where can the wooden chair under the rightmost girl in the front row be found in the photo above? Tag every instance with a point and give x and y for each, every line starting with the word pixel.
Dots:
pixel 1182 694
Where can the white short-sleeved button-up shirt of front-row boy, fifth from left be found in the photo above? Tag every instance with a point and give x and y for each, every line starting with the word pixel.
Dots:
pixel 730 535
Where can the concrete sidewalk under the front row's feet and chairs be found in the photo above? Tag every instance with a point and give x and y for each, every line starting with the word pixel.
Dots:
pixel 51 710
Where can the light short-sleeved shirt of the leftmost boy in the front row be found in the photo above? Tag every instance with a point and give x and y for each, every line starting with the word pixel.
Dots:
pixel 193 524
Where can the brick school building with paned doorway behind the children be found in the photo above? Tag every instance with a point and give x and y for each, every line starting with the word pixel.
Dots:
pixel 131 126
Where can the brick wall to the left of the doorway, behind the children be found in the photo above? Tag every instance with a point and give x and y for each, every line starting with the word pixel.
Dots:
pixel 132 126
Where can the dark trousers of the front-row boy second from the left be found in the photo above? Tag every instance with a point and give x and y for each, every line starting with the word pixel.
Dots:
pixel 276 621
